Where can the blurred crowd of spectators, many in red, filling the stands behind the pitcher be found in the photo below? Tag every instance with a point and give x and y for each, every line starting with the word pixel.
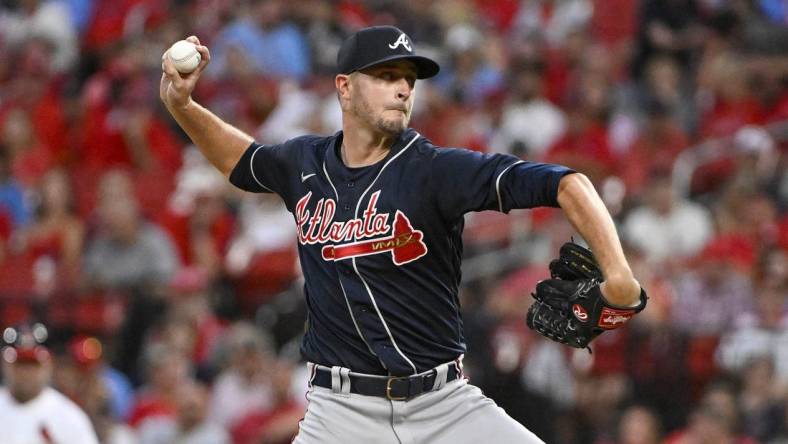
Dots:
pixel 174 302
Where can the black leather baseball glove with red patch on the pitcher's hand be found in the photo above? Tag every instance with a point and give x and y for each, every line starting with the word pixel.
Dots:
pixel 570 307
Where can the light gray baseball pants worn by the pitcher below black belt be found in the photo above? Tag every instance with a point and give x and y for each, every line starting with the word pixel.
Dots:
pixel 455 413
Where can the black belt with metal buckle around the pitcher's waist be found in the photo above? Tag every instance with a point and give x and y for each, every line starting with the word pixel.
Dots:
pixel 395 388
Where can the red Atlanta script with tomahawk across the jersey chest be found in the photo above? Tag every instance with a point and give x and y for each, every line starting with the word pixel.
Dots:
pixel 403 241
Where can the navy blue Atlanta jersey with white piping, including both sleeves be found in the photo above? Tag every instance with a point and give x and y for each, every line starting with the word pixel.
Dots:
pixel 380 246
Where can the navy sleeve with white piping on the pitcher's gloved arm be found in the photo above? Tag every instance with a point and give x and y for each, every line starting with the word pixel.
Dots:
pixel 471 181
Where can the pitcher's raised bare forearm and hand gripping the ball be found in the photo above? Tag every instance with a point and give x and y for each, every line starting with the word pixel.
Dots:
pixel 221 143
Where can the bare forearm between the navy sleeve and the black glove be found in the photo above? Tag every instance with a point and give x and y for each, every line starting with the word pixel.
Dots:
pixel 588 215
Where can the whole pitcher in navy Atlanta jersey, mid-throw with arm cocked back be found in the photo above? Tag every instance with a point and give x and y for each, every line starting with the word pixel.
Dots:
pixel 379 214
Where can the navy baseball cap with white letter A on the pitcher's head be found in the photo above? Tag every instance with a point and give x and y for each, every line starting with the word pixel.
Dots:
pixel 379 44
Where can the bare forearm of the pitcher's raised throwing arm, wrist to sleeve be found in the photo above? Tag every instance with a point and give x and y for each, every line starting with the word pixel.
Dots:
pixel 221 143
